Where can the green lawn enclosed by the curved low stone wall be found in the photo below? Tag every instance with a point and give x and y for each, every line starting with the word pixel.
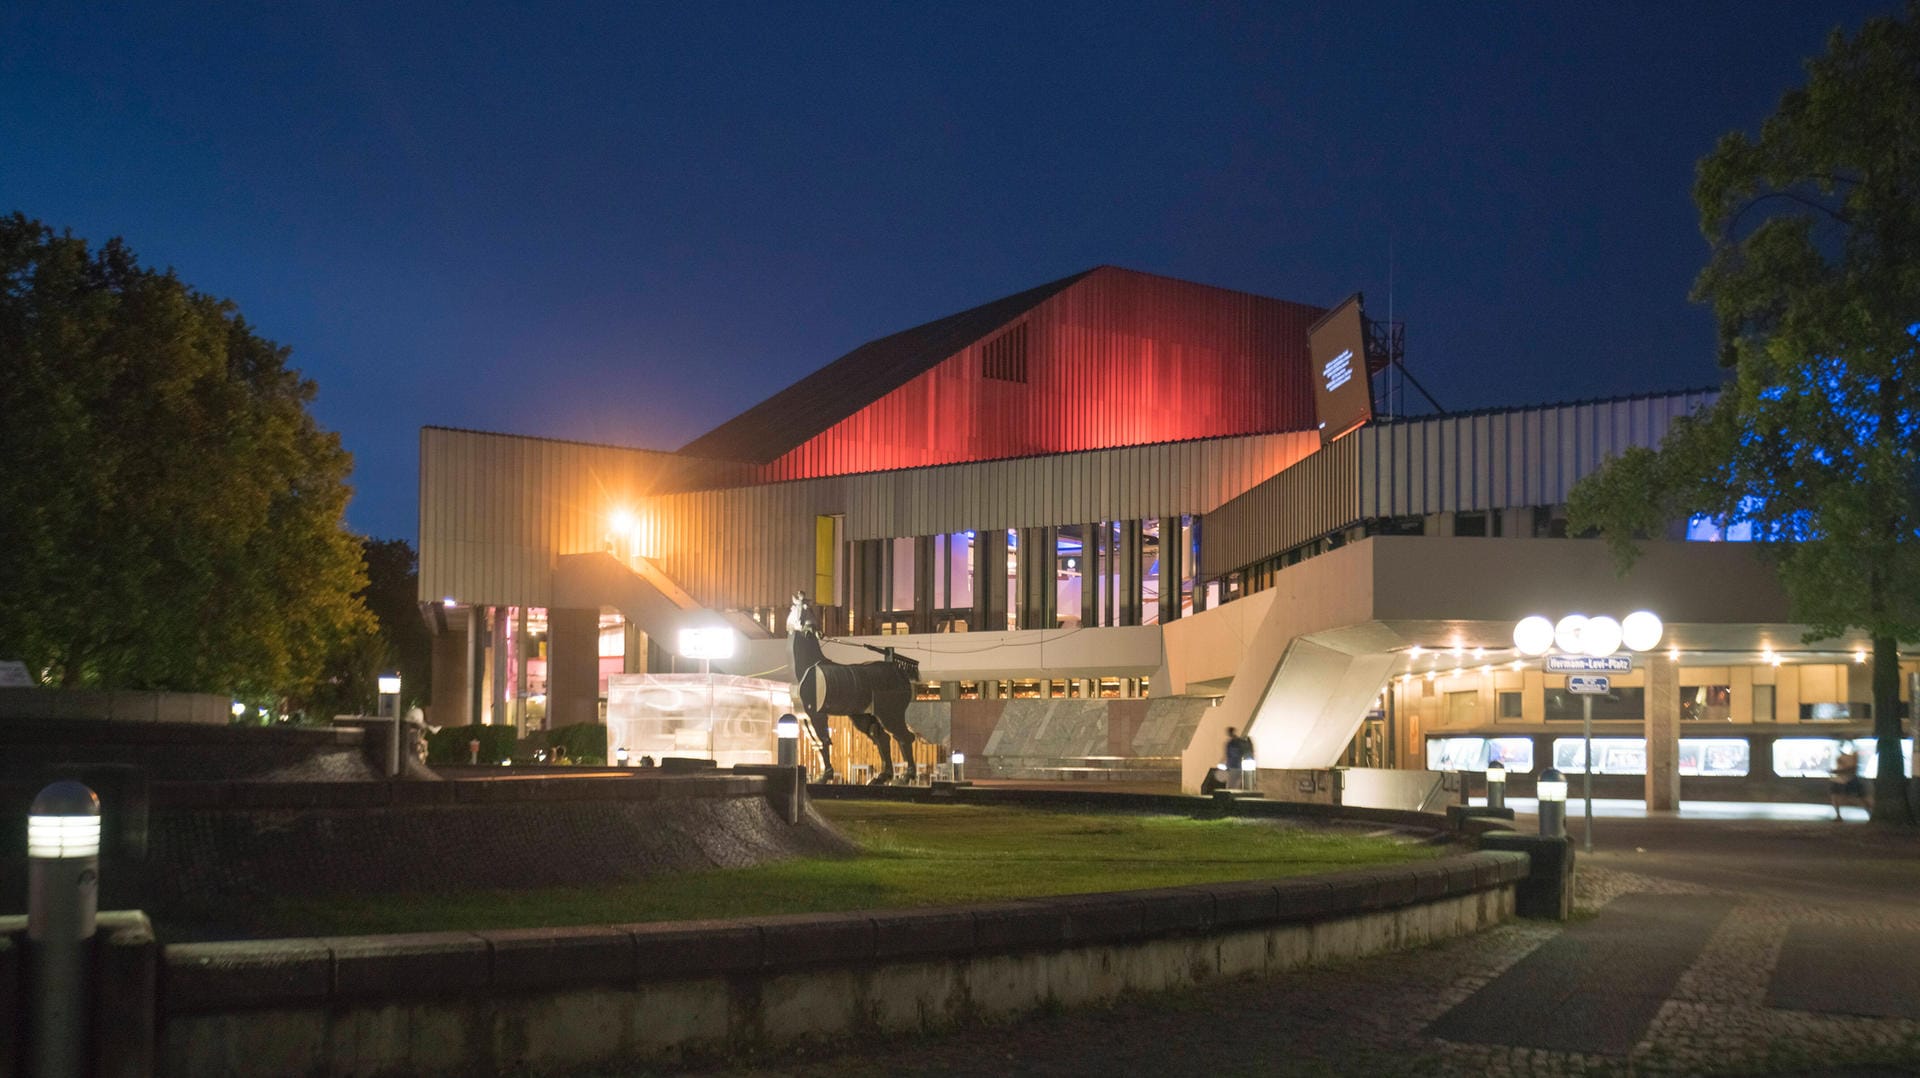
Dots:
pixel 913 856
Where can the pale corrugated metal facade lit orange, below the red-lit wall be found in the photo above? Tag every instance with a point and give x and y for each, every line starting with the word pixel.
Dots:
pixel 496 510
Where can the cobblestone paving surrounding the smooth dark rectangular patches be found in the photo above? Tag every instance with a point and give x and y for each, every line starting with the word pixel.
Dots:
pixel 1370 1017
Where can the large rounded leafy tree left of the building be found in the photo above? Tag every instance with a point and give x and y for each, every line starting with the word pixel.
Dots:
pixel 174 516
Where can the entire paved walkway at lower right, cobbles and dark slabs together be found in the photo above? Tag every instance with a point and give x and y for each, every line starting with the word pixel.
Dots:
pixel 1704 946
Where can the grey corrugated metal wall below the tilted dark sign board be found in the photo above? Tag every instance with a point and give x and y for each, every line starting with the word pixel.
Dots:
pixel 1435 466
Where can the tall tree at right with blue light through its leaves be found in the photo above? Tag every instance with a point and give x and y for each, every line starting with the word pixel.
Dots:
pixel 1815 441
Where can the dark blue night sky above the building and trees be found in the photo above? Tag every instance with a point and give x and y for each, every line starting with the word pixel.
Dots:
pixel 621 224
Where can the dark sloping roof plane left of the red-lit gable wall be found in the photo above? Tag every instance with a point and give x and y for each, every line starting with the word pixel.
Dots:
pixel 857 380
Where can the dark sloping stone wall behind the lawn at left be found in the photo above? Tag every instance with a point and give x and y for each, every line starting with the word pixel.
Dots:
pixel 210 850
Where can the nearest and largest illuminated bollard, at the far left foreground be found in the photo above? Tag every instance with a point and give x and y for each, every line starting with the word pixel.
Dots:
pixel 62 900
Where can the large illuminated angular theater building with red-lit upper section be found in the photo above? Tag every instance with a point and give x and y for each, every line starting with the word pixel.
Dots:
pixel 1115 516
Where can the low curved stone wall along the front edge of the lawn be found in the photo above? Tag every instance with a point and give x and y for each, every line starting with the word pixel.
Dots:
pixel 562 998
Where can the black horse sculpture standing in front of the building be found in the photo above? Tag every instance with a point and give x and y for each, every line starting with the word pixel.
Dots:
pixel 873 695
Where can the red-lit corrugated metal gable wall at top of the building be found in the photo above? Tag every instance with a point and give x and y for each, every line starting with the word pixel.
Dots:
pixel 1118 358
